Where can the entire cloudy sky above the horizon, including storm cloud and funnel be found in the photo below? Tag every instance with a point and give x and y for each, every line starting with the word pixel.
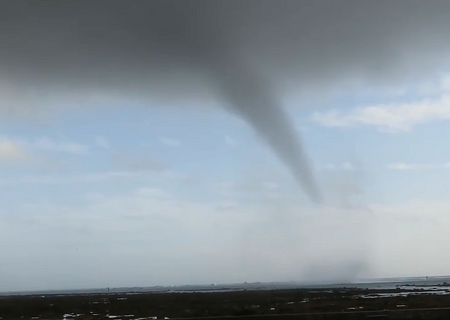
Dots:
pixel 149 152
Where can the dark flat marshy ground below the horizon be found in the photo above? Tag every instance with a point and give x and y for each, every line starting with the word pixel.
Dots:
pixel 356 303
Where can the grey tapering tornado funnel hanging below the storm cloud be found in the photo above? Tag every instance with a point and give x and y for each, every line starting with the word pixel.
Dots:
pixel 251 97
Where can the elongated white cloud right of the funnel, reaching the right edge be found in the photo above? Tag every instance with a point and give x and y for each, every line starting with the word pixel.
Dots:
pixel 394 117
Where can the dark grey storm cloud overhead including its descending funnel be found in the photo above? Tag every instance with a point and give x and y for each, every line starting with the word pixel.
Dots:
pixel 245 51
